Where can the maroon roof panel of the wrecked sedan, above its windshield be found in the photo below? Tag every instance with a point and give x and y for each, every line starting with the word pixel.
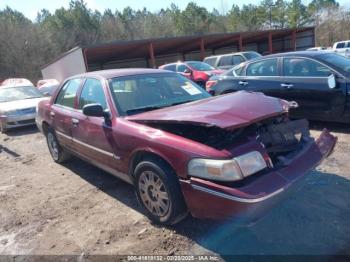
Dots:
pixel 111 73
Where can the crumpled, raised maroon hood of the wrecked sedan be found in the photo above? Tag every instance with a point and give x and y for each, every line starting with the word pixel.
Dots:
pixel 226 111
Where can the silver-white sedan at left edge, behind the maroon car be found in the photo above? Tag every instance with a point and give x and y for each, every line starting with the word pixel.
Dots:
pixel 18 106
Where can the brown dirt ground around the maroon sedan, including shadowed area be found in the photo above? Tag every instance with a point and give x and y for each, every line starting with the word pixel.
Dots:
pixel 77 209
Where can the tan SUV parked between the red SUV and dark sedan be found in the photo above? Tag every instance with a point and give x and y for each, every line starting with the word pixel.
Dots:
pixel 228 61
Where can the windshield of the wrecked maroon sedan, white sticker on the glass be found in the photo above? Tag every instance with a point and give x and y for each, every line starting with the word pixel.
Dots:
pixel 140 93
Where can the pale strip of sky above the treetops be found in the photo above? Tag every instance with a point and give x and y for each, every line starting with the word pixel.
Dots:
pixel 30 8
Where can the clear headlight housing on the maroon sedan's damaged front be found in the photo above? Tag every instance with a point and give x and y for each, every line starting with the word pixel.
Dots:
pixel 227 170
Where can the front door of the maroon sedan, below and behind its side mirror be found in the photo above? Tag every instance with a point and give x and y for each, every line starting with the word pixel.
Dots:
pixel 93 135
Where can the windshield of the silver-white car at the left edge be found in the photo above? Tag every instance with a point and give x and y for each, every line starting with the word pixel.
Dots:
pixel 8 94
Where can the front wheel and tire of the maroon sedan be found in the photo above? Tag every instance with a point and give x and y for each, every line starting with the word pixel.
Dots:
pixel 158 191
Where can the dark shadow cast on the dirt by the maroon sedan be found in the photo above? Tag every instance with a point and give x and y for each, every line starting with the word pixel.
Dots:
pixel 313 220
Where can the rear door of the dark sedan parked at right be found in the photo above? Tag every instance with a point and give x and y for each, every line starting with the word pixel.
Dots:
pixel 261 76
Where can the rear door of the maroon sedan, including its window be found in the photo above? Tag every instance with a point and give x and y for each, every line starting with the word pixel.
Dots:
pixel 61 112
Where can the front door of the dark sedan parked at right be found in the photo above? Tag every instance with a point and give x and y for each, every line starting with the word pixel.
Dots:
pixel 305 81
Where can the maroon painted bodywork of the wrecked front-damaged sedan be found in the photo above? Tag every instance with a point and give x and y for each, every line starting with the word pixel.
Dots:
pixel 124 137
